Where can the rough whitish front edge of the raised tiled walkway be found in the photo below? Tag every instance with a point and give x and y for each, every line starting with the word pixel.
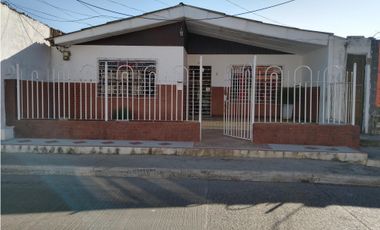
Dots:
pixel 356 158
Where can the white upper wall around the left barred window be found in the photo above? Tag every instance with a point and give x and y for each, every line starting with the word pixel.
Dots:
pixel 83 63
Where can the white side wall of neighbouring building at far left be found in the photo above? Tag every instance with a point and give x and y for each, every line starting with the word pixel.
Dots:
pixel 22 42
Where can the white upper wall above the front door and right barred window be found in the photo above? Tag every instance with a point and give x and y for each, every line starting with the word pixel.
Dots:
pixel 221 63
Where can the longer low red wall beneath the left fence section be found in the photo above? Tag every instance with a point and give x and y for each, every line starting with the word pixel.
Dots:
pixel 115 130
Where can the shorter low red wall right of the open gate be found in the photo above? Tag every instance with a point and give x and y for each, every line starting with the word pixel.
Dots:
pixel 306 134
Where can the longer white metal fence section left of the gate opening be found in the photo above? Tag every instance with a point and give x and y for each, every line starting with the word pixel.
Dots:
pixel 126 94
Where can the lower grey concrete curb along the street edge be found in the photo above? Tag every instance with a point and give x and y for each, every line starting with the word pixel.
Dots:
pixel 236 175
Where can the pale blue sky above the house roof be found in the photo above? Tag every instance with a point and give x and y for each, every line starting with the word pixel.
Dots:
pixel 341 17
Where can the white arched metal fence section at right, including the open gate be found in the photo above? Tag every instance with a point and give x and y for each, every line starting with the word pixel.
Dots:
pixel 275 96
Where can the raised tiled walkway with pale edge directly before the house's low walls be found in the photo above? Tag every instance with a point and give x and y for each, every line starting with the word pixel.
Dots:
pixel 217 147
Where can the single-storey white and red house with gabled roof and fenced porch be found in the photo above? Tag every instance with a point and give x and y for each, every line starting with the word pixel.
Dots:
pixel 161 75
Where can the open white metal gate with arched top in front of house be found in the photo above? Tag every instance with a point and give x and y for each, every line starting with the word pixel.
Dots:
pixel 237 120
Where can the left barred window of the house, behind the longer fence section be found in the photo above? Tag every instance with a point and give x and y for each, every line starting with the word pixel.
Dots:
pixel 128 77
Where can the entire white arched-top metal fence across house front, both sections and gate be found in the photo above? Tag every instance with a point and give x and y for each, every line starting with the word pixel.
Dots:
pixel 129 93
